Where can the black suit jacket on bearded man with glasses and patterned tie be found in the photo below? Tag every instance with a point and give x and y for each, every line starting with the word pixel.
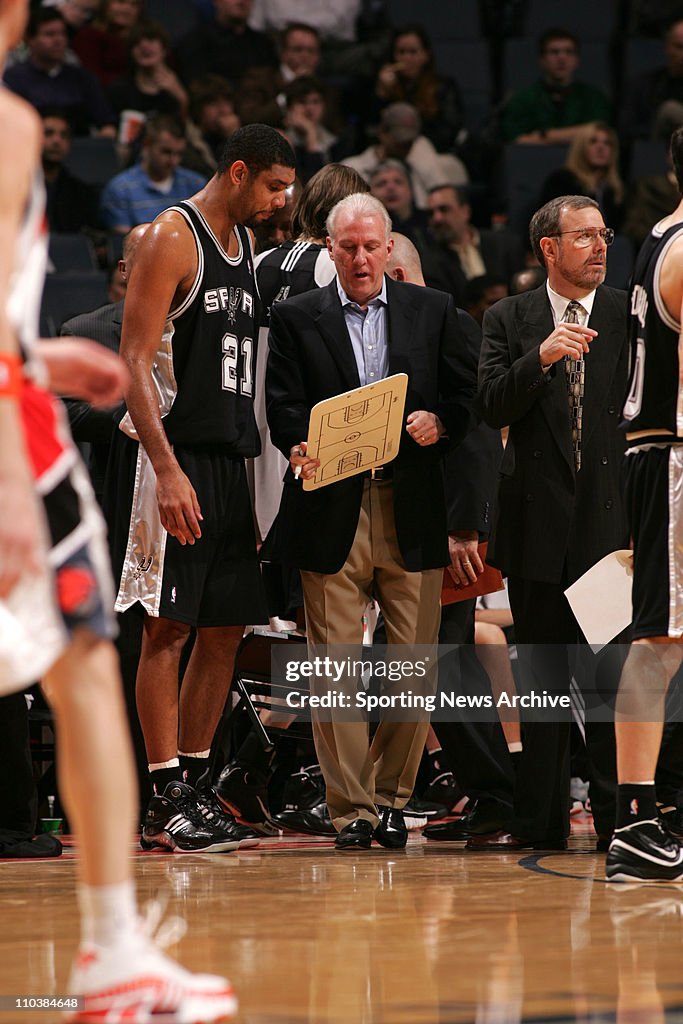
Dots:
pixel 552 524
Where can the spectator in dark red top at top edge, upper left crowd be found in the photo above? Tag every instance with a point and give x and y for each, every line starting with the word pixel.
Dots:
pixel 103 48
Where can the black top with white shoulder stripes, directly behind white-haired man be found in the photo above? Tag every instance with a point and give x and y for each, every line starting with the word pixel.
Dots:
pixel 291 270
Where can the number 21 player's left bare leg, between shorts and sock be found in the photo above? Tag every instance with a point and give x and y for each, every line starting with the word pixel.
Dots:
pixel 157 688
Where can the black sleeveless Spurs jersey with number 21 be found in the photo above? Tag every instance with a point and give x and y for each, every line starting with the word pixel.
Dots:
pixel 204 370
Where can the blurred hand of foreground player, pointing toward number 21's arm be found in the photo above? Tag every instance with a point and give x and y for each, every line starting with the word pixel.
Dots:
pixel 82 369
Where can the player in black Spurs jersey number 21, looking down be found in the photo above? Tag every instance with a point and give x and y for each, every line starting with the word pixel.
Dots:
pixel 189 552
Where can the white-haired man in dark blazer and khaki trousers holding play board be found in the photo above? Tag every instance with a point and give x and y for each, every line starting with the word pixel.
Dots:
pixel 381 535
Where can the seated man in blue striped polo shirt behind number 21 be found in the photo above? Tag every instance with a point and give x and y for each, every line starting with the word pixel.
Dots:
pixel 157 183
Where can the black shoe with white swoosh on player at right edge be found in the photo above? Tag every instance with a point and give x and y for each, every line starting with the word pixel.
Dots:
pixel 645 851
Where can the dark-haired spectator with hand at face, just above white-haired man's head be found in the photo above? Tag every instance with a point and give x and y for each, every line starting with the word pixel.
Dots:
pixel 314 145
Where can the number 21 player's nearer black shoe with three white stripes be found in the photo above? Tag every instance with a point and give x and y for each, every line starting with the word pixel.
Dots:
pixel 175 823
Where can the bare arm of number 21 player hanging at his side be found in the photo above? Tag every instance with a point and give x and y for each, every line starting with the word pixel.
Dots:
pixel 165 268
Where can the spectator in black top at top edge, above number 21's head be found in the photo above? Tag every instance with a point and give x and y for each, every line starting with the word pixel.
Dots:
pixel 227 47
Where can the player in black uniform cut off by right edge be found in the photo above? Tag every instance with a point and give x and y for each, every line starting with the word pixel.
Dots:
pixel 643 846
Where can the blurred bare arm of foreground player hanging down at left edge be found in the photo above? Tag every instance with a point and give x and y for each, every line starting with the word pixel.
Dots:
pixel 20 523
